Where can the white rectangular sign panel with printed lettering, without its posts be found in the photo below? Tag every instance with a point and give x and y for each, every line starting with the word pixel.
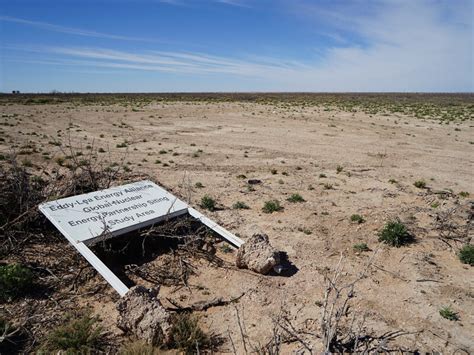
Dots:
pixel 117 210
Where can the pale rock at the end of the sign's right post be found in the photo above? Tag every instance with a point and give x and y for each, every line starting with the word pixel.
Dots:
pixel 257 254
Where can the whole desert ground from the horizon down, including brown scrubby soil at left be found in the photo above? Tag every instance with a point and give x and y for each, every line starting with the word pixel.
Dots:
pixel 342 159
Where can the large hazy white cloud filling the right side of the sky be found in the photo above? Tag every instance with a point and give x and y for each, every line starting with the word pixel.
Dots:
pixel 408 46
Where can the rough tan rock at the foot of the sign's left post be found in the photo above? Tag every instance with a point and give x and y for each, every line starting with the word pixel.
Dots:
pixel 141 314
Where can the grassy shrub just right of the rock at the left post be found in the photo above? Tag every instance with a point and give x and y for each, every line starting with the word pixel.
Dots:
pixel 187 335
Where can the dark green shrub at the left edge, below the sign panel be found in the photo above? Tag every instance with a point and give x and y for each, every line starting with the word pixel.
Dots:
pixel 15 280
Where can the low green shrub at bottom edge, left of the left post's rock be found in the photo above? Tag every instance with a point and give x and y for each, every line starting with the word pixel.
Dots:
pixel 79 335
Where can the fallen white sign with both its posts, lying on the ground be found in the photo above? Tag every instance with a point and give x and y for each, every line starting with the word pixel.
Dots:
pixel 89 218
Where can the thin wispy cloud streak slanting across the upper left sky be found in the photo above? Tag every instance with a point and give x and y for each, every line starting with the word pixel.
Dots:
pixel 71 30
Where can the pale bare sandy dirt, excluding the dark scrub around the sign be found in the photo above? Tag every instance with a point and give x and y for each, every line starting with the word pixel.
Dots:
pixel 294 150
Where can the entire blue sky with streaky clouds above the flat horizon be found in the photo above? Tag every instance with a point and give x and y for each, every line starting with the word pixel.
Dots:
pixel 236 45
